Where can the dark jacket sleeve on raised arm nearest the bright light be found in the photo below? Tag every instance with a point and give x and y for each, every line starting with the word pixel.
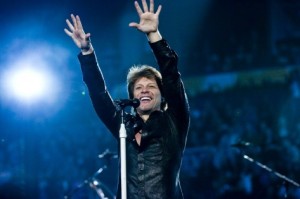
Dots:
pixel 100 97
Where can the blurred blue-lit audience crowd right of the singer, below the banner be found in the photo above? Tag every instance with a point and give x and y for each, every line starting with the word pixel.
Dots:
pixel 261 123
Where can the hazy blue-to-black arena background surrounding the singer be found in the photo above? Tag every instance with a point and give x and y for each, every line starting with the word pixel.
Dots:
pixel 239 60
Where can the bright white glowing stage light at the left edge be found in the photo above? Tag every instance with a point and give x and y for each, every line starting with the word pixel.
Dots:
pixel 29 81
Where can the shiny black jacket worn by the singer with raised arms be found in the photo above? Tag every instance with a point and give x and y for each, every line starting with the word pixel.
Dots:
pixel 153 167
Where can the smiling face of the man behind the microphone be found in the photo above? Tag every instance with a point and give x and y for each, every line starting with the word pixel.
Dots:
pixel 147 91
